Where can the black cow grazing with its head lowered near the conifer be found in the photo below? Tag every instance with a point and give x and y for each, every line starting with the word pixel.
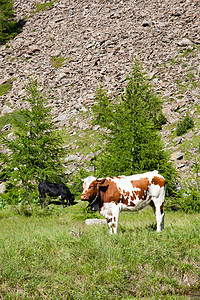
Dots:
pixel 55 190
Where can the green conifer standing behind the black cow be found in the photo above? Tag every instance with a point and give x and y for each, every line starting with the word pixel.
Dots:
pixel 36 150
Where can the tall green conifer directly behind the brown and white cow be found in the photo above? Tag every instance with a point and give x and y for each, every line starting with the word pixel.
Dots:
pixel 133 143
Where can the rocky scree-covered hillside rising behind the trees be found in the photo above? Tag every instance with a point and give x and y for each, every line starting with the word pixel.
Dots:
pixel 73 46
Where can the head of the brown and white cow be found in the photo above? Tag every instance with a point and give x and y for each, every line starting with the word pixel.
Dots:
pixel 92 193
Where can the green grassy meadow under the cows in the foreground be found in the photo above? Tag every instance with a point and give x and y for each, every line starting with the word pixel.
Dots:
pixel 52 254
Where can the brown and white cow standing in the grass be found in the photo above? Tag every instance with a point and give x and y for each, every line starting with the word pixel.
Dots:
pixel 111 195
